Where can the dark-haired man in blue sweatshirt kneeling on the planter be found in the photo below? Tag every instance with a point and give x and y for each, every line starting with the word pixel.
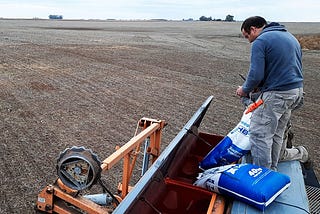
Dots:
pixel 276 72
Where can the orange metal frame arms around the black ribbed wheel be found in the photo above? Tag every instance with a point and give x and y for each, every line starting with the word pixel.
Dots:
pixel 53 198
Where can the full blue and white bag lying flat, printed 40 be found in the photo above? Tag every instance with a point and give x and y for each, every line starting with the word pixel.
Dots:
pixel 251 184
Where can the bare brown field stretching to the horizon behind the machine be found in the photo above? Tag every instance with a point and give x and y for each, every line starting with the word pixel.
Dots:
pixel 87 83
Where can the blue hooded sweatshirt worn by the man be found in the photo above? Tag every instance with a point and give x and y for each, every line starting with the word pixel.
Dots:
pixel 275 61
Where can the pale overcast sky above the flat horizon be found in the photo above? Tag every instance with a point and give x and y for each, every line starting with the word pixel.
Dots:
pixel 272 10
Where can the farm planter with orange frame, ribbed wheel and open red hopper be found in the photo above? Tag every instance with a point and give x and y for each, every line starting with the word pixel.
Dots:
pixel 167 186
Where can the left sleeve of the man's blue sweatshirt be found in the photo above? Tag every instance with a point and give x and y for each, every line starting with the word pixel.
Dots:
pixel 257 67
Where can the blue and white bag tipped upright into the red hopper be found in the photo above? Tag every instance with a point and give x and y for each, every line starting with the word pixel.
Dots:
pixel 231 148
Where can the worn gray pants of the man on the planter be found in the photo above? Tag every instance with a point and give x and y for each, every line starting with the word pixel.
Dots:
pixel 268 124
